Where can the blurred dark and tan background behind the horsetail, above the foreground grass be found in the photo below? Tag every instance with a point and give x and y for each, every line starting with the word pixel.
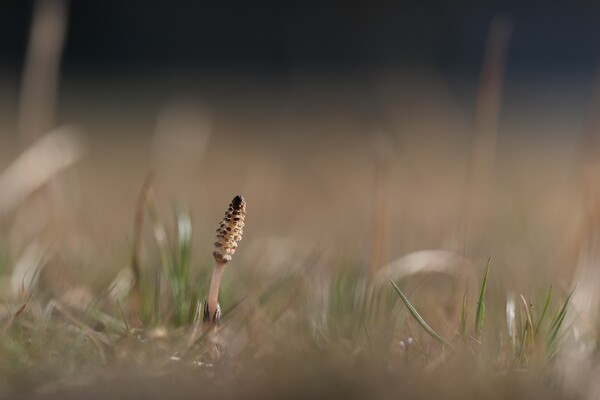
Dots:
pixel 364 130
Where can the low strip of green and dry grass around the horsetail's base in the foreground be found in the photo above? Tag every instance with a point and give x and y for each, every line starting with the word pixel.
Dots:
pixel 340 334
